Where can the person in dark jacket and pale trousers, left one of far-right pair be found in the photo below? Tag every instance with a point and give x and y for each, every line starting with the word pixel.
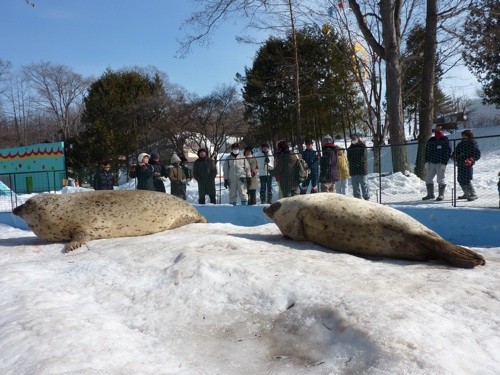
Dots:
pixel 437 154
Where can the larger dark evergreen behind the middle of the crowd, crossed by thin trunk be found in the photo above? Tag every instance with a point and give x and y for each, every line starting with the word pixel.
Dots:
pixel 326 86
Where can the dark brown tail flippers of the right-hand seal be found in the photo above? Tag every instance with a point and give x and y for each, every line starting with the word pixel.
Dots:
pixel 455 255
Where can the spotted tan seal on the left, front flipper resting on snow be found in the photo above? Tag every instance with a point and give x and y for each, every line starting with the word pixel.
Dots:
pixel 81 217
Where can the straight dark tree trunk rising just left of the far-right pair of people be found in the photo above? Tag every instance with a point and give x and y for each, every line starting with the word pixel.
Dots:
pixel 428 82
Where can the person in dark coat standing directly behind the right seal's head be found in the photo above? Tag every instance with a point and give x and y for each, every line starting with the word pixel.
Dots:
pixel 286 166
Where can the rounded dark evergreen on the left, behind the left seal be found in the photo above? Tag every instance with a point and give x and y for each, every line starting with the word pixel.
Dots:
pixel 120 109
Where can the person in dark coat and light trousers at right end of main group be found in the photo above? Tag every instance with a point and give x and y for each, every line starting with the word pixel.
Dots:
pixel 358 167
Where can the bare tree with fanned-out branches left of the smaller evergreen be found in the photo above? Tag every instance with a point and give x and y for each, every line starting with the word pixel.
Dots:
pixel 59 93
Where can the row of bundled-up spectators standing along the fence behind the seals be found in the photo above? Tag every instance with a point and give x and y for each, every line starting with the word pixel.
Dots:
pixel 247 172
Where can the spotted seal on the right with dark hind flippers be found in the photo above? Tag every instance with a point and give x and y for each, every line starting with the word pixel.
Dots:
pixel 364 228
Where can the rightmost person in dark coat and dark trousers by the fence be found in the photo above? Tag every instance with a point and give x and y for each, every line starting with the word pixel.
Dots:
pixel 466 154
